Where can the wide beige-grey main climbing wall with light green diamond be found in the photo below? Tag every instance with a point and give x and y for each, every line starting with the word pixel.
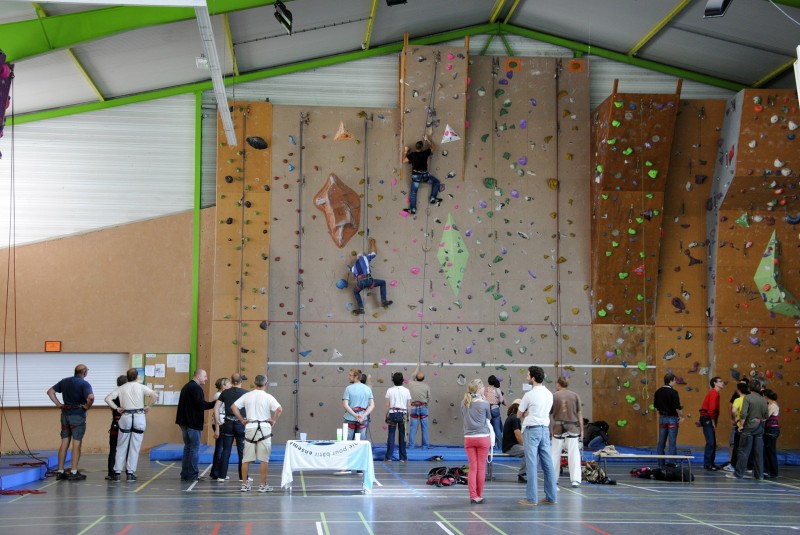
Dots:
pixel 474 281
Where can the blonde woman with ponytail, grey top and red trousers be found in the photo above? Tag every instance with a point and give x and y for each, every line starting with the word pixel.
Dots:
pixel 475 412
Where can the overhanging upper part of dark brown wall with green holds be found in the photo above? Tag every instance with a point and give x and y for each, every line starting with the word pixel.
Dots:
pixel 633 135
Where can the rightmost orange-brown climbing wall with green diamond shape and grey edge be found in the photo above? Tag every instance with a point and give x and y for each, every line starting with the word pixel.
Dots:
pixel 756 279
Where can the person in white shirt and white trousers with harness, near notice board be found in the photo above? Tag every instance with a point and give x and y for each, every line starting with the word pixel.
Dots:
pixel 132 423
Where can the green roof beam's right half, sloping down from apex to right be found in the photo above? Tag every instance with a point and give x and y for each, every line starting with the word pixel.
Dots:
pixel 622 58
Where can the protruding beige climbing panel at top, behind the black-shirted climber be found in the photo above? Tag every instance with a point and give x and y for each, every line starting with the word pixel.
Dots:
pixel 433 99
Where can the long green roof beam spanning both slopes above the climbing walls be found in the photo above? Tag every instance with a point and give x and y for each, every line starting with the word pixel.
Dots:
pixel 483 29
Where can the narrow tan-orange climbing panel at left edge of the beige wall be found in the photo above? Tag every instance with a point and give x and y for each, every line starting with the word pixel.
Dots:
pixel 242 266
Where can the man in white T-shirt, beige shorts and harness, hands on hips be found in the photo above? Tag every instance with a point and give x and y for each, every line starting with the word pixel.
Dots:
pixel 262 411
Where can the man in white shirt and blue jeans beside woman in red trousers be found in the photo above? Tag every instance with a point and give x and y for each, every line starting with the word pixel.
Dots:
pixel 534 411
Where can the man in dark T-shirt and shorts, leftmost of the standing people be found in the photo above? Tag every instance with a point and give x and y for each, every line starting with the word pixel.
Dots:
pixel 78 398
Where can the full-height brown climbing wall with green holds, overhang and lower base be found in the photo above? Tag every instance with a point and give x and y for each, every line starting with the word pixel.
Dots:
pixel 633 136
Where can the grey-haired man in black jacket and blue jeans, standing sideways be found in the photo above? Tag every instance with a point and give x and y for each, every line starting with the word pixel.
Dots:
pixel 191 405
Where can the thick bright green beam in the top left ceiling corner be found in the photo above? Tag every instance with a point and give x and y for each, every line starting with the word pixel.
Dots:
pixel 28 38
